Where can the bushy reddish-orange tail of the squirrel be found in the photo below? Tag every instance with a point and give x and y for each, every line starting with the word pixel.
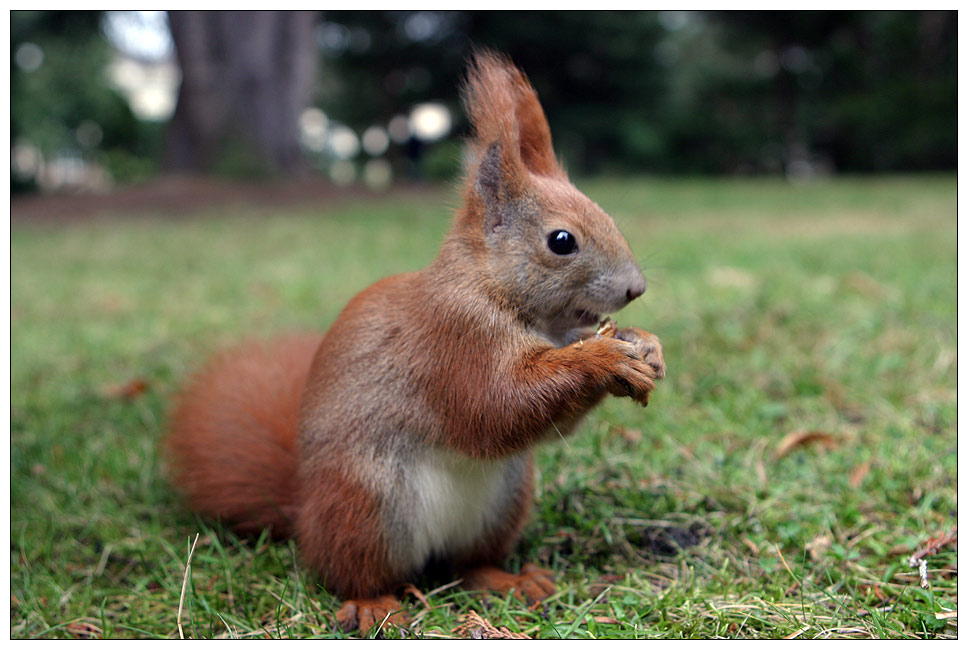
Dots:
pixel 232 443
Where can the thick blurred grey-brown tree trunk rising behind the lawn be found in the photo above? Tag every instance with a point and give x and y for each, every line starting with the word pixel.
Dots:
pixel 246 77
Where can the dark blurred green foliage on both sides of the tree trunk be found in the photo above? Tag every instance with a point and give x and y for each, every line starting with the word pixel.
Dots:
pixel 794 93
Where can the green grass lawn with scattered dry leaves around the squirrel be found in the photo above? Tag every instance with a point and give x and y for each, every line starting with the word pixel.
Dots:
pixel 826 307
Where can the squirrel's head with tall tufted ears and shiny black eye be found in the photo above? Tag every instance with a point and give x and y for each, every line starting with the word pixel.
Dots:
pixel 549 250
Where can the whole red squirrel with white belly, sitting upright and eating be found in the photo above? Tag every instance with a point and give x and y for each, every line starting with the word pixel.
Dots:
pixel 404 434
